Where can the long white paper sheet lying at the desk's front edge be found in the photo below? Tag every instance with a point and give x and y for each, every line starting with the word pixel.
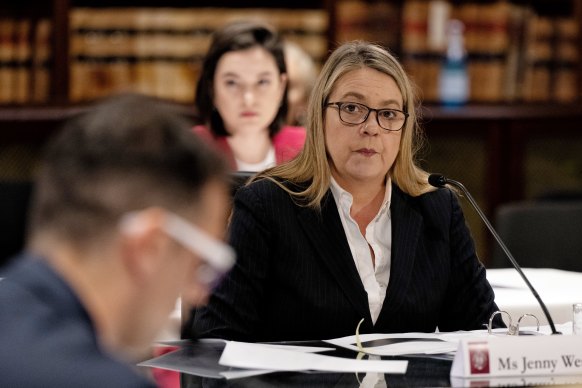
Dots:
pixel 258 356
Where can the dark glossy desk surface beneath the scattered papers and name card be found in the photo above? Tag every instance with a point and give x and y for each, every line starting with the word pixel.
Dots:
pixel 421 372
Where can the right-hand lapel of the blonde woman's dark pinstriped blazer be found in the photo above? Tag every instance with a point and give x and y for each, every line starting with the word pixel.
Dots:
pixel 406 228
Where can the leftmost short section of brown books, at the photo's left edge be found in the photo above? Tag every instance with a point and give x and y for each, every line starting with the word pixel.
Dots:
pixel 24 60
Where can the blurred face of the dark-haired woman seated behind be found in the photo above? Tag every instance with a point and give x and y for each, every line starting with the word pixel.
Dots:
pixel 248 90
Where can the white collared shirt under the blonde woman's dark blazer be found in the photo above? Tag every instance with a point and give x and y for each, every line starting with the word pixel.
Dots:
pixel 378 237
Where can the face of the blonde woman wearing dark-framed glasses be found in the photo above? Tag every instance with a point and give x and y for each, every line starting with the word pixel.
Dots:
pixel 362 153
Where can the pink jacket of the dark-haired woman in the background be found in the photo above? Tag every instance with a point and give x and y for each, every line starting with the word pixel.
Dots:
pixel 288 142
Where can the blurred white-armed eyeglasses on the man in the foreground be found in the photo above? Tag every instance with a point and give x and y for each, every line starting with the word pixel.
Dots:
pixel 218 256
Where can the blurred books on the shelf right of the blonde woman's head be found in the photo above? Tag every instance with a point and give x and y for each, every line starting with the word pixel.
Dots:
pixel 514 53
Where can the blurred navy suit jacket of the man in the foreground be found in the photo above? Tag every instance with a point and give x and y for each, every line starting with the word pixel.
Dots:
pixel 47 336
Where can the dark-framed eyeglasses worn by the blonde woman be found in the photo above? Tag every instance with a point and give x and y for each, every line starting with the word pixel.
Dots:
pixel 355 113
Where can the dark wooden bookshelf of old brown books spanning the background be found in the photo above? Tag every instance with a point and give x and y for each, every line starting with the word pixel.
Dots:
pixel 80 37
